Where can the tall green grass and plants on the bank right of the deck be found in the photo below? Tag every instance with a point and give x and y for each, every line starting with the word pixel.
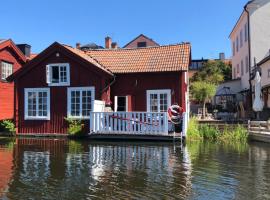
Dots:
pixel 198 131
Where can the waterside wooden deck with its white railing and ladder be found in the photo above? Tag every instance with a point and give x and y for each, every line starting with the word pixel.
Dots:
pixel 132 126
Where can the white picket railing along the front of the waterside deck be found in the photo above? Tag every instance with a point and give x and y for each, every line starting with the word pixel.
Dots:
pixel 129 123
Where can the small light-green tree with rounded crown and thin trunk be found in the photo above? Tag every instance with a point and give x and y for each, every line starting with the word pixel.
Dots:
pixel 203 91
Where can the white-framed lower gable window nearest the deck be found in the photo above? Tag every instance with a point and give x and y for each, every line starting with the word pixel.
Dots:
pixel 80 102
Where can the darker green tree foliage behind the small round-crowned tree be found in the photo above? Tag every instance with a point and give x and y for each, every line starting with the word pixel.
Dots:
pixel 213 72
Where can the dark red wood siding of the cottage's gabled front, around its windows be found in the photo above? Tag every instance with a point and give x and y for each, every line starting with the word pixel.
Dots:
pixel 80 76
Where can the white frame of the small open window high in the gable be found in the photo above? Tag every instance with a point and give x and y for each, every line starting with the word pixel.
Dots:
pixel 49 74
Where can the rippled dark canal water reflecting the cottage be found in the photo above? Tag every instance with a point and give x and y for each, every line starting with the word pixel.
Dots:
pixel 67 169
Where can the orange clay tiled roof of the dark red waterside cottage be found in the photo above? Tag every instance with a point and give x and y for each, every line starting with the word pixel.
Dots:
pixel 149 59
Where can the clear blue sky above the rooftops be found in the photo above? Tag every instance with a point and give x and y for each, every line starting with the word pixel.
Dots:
pixel 206 24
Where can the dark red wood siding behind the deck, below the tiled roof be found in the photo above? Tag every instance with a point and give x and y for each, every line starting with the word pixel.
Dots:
pixel 137 84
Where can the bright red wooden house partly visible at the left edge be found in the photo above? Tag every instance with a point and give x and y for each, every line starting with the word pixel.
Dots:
pixel 11 59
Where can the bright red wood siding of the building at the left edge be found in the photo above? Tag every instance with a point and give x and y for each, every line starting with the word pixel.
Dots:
pixel 7 89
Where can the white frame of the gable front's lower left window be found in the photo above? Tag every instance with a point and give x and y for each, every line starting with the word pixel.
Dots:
pixel 26 116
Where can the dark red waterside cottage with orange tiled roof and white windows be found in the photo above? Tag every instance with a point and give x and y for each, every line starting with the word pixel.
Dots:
pixel 63 82
